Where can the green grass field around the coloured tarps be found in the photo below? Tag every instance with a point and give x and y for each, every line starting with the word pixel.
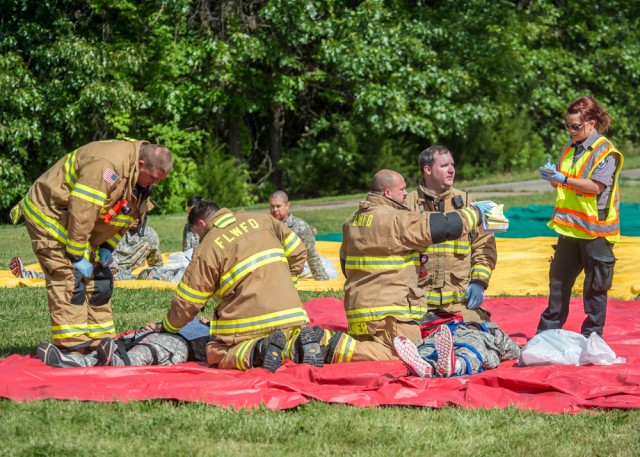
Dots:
pixel 68 428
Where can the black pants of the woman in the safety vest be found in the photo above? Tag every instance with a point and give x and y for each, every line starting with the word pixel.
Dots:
pixel 572 256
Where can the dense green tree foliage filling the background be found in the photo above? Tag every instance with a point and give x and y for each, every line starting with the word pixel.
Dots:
pixel 358 86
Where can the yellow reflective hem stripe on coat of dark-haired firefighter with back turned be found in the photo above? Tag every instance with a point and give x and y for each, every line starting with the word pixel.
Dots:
pixel 284 318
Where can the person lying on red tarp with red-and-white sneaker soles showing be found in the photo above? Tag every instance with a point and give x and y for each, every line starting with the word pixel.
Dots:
pixel 451 347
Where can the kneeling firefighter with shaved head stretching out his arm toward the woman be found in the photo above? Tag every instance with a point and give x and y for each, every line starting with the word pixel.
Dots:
pixel 380 258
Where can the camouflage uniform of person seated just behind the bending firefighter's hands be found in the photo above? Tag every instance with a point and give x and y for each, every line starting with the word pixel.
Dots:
pixel 133 250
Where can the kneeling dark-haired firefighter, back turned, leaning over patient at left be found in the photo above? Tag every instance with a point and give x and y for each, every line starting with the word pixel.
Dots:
pixel 244 264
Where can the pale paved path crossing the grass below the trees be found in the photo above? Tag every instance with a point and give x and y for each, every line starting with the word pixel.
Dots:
pixel 479 192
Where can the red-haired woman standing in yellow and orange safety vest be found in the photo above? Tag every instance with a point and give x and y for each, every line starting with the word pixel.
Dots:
pixel 586 216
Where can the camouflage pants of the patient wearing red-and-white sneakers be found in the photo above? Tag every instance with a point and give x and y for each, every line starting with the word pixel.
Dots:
pixel 476 348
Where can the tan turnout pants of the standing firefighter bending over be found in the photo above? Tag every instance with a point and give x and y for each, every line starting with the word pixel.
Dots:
pixel 80 308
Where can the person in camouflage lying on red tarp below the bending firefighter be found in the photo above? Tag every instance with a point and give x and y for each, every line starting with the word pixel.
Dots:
pixel 140 348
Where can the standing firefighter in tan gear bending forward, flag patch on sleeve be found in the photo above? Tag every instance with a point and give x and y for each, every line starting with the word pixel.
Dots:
pixel 75 214
